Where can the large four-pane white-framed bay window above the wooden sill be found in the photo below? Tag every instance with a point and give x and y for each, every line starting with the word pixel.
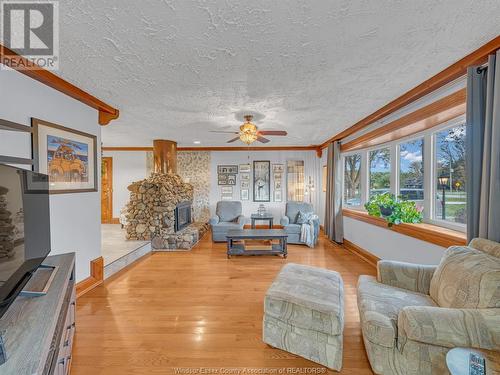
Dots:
pixel 428 168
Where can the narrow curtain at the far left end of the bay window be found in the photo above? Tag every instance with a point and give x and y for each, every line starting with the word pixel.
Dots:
pixel 334 225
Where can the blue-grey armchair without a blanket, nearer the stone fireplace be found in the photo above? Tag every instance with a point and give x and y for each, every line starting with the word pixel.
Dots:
pixel 227 216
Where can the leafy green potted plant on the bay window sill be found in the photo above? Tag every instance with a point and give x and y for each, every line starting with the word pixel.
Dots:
pixel 394 210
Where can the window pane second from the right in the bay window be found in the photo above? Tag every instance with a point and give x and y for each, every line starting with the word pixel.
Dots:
pixel 411 171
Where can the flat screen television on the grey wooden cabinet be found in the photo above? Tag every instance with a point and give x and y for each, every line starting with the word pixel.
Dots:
pixel 24 229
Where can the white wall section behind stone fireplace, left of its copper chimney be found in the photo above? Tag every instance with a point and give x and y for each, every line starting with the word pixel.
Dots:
pixel 128 166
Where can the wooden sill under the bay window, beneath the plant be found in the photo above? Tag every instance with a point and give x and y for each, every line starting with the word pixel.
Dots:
pixel 426 232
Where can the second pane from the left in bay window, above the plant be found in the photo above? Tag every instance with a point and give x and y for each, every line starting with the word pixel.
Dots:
pixel 380 171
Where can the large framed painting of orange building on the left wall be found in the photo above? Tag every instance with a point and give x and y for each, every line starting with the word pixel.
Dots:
pixel 67 156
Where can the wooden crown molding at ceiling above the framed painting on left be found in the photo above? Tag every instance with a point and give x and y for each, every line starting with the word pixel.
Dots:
pixel 24 66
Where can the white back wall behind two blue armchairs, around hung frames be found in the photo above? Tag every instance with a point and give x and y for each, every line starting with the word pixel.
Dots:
pixel 311 164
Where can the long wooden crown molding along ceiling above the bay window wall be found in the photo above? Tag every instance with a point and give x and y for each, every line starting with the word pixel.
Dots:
pixel 454 71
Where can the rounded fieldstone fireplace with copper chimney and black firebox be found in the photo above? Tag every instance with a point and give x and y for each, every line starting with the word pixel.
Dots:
pixel 160 206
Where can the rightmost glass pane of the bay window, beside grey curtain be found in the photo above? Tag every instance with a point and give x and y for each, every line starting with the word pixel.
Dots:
pixel 451 196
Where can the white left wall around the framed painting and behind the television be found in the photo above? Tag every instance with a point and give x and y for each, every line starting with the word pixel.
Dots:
pixel 75 218
